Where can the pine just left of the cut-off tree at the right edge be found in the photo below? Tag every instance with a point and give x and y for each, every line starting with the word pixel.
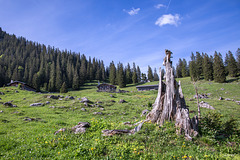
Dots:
pixel 232 65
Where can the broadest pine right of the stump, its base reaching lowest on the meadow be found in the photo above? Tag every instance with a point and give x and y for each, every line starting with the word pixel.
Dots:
pixel 218 68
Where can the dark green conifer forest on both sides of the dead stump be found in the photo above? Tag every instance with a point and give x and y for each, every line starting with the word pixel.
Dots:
pixel 48 69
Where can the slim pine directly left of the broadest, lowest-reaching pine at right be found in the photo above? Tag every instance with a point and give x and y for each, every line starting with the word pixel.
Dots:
pixel 207 68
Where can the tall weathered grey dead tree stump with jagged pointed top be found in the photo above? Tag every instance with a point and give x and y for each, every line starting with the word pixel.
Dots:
pixel 170 103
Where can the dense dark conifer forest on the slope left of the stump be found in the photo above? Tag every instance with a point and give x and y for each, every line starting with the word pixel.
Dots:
pixel 49 69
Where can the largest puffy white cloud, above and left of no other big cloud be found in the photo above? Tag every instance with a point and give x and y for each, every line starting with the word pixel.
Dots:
pixel 168 19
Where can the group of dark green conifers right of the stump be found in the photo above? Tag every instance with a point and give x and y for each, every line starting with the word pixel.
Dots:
pixel 209 67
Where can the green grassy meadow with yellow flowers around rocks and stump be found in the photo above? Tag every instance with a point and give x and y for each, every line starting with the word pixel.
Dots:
pixel 20 139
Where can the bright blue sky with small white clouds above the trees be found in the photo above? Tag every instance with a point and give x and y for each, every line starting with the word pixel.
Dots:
pixel 127 30
